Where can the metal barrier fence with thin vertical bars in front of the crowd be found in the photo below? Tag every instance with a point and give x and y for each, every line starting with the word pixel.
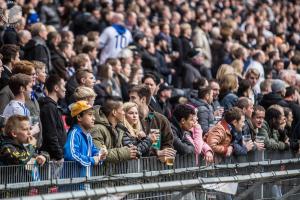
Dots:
pixel 51 178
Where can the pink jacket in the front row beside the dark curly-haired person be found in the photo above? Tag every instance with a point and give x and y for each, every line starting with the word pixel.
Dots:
pixel 196 139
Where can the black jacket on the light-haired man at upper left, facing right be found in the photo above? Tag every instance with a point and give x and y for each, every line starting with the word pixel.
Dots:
pixel 36 49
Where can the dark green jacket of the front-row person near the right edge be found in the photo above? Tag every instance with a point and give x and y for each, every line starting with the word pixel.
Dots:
pixel 272 138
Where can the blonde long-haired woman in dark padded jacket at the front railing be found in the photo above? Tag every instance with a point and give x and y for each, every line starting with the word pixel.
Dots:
pixel 135 135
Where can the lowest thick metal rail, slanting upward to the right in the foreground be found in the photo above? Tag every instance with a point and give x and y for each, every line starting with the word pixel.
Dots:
pixel 166 186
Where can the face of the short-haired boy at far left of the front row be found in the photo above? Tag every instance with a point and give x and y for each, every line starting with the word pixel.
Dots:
pixel 22 134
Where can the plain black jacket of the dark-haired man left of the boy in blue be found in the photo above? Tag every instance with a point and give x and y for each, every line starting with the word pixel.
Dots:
pixel 54 134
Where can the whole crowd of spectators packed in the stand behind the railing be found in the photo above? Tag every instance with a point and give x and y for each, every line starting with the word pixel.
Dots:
pixel 110 81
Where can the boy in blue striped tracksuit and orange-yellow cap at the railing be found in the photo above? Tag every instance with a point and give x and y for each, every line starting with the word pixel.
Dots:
pixel 79 146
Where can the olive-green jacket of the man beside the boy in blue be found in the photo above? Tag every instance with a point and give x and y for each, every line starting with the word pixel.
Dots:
pixel 104 135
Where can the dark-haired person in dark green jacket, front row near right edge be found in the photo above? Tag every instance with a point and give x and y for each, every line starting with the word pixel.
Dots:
pixel 274 121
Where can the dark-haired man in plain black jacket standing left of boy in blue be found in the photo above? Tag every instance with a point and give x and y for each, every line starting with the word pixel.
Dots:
pixel 54 134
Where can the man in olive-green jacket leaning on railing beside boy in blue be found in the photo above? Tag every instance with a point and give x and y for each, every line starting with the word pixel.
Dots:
pixel 109 133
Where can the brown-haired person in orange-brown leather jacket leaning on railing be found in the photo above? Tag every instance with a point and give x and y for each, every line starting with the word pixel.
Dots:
pixel 220 137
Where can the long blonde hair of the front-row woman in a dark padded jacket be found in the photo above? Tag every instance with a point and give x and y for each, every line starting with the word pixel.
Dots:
pixel 133 129
